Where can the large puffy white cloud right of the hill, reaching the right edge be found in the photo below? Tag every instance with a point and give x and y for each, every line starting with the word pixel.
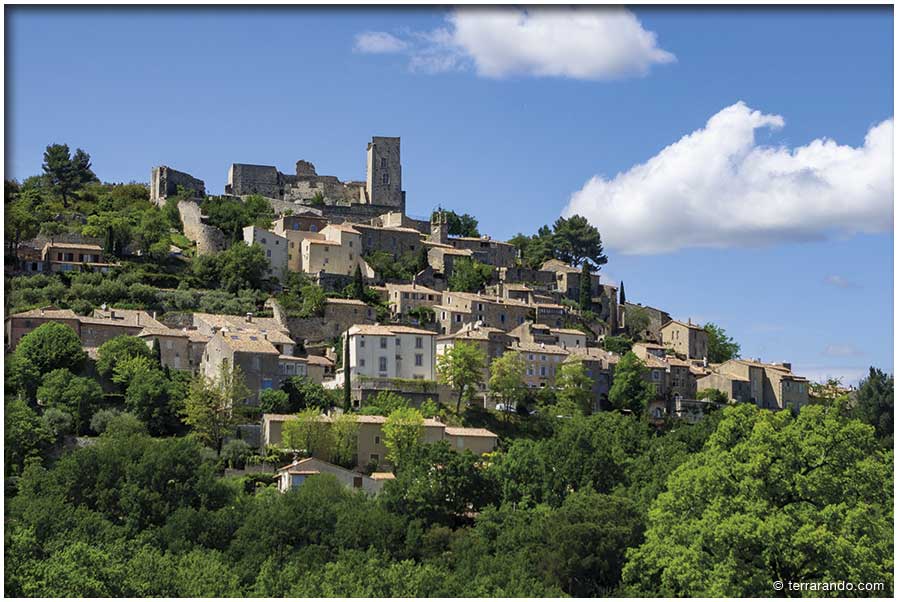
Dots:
pixel 717 187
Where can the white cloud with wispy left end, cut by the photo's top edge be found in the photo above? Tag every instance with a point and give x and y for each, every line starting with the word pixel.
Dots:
pixel 570 42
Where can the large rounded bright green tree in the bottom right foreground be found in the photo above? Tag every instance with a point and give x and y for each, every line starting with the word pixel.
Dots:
pixel 770 498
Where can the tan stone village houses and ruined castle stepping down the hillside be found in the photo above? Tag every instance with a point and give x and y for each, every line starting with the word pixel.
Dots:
pixel 393 332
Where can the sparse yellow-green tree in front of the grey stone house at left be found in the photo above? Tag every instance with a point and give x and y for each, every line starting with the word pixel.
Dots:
pixel 209 408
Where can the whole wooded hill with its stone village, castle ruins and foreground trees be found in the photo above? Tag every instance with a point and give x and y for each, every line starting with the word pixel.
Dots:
pixel 296 388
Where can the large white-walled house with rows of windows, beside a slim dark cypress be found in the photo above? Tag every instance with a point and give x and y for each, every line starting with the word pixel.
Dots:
pixel 391 352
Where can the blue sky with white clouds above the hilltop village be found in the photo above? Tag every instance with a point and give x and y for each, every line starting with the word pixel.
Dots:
pixel 737 162
